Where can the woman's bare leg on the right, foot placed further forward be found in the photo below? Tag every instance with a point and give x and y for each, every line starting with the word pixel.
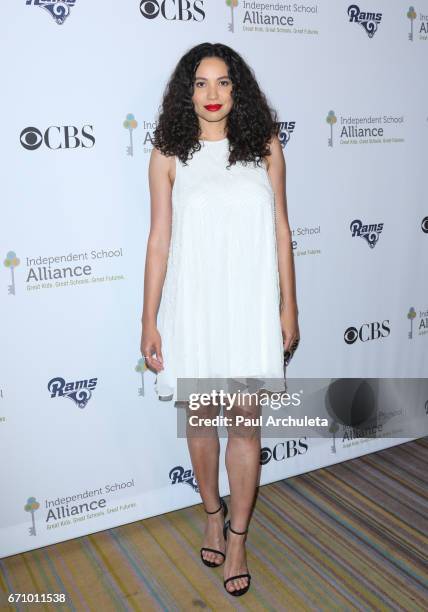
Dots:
pixel 243 468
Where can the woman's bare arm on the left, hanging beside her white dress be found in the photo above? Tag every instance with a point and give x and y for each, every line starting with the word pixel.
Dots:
pixel 160 184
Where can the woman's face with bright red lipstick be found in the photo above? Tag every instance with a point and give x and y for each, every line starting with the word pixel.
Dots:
pixel 212 91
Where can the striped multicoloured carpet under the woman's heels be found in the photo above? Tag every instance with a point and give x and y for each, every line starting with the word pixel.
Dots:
pixel 346 537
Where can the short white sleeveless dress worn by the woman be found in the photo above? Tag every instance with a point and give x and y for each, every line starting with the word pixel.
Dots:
pixel 219 311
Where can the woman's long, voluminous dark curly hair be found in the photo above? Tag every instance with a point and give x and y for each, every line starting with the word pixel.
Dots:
pixel 250 124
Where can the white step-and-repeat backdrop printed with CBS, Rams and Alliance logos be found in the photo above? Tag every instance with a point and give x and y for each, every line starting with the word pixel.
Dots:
pixel 85 443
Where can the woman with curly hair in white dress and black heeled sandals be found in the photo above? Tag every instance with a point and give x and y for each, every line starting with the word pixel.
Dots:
pixel 219 289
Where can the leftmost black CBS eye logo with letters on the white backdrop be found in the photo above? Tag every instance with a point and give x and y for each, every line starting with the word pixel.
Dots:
pixel 57 137
